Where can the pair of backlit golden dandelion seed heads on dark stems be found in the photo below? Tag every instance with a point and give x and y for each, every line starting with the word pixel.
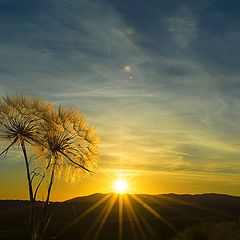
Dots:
pixel 59 139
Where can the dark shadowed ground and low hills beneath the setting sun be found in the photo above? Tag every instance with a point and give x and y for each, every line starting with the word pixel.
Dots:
pixel 160 217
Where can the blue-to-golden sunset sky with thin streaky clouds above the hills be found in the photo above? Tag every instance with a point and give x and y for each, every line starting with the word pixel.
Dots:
pixel 170 125
